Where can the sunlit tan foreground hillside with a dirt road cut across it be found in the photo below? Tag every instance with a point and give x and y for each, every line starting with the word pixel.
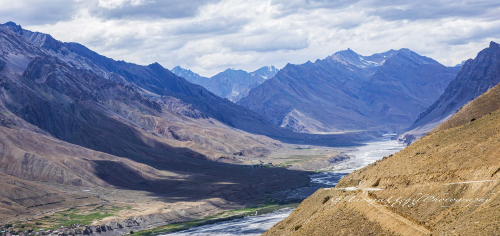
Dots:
pixel 446 183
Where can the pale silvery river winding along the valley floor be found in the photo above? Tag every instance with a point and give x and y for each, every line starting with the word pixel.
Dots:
pixel 256 225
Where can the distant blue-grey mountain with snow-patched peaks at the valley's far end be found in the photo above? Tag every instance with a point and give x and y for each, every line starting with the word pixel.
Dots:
pixel 347 91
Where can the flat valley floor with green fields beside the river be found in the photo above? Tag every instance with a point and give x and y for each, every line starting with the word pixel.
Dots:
pixel 147 210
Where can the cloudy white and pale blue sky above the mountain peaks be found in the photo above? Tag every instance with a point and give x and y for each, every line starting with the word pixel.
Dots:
pixel 209 36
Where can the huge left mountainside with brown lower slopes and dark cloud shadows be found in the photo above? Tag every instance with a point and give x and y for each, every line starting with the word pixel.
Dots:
pixel 71 118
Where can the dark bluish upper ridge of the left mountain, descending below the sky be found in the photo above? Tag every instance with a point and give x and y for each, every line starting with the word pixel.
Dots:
pixel 159 82
